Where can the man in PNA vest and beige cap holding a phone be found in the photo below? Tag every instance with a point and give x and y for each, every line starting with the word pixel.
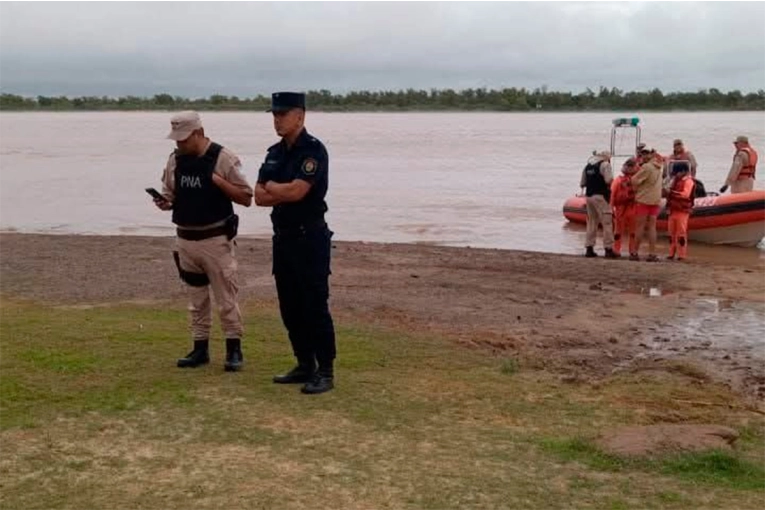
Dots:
pixel 200 182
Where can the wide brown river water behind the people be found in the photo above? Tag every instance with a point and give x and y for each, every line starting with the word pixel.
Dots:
pixel 493 180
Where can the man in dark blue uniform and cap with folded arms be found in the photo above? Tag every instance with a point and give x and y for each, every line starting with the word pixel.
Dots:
pixel 293 180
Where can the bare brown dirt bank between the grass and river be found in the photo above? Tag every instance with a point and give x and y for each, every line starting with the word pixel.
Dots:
pixel 584 319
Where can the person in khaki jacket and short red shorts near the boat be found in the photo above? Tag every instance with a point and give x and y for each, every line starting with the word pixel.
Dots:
pixel 647 183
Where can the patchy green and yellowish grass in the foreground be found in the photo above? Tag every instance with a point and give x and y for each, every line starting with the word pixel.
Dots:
pixel 94 414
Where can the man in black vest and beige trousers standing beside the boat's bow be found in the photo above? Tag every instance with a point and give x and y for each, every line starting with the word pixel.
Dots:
pixel 596 181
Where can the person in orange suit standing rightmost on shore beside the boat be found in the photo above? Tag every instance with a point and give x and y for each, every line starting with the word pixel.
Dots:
pixel 679 205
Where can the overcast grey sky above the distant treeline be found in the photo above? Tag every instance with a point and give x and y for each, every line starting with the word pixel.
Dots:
pixel 246 47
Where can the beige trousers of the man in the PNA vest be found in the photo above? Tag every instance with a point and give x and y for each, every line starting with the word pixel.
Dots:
pixel 214 257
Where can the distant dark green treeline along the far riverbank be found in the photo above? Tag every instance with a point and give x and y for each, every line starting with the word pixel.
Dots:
pixel 508 99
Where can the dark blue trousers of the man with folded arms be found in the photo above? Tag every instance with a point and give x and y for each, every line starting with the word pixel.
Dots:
pixel 301 269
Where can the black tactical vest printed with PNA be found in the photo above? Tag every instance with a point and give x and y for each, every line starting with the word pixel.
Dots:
pixel 198 201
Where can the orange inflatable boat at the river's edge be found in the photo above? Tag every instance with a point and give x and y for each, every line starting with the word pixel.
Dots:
pixel 721 219
